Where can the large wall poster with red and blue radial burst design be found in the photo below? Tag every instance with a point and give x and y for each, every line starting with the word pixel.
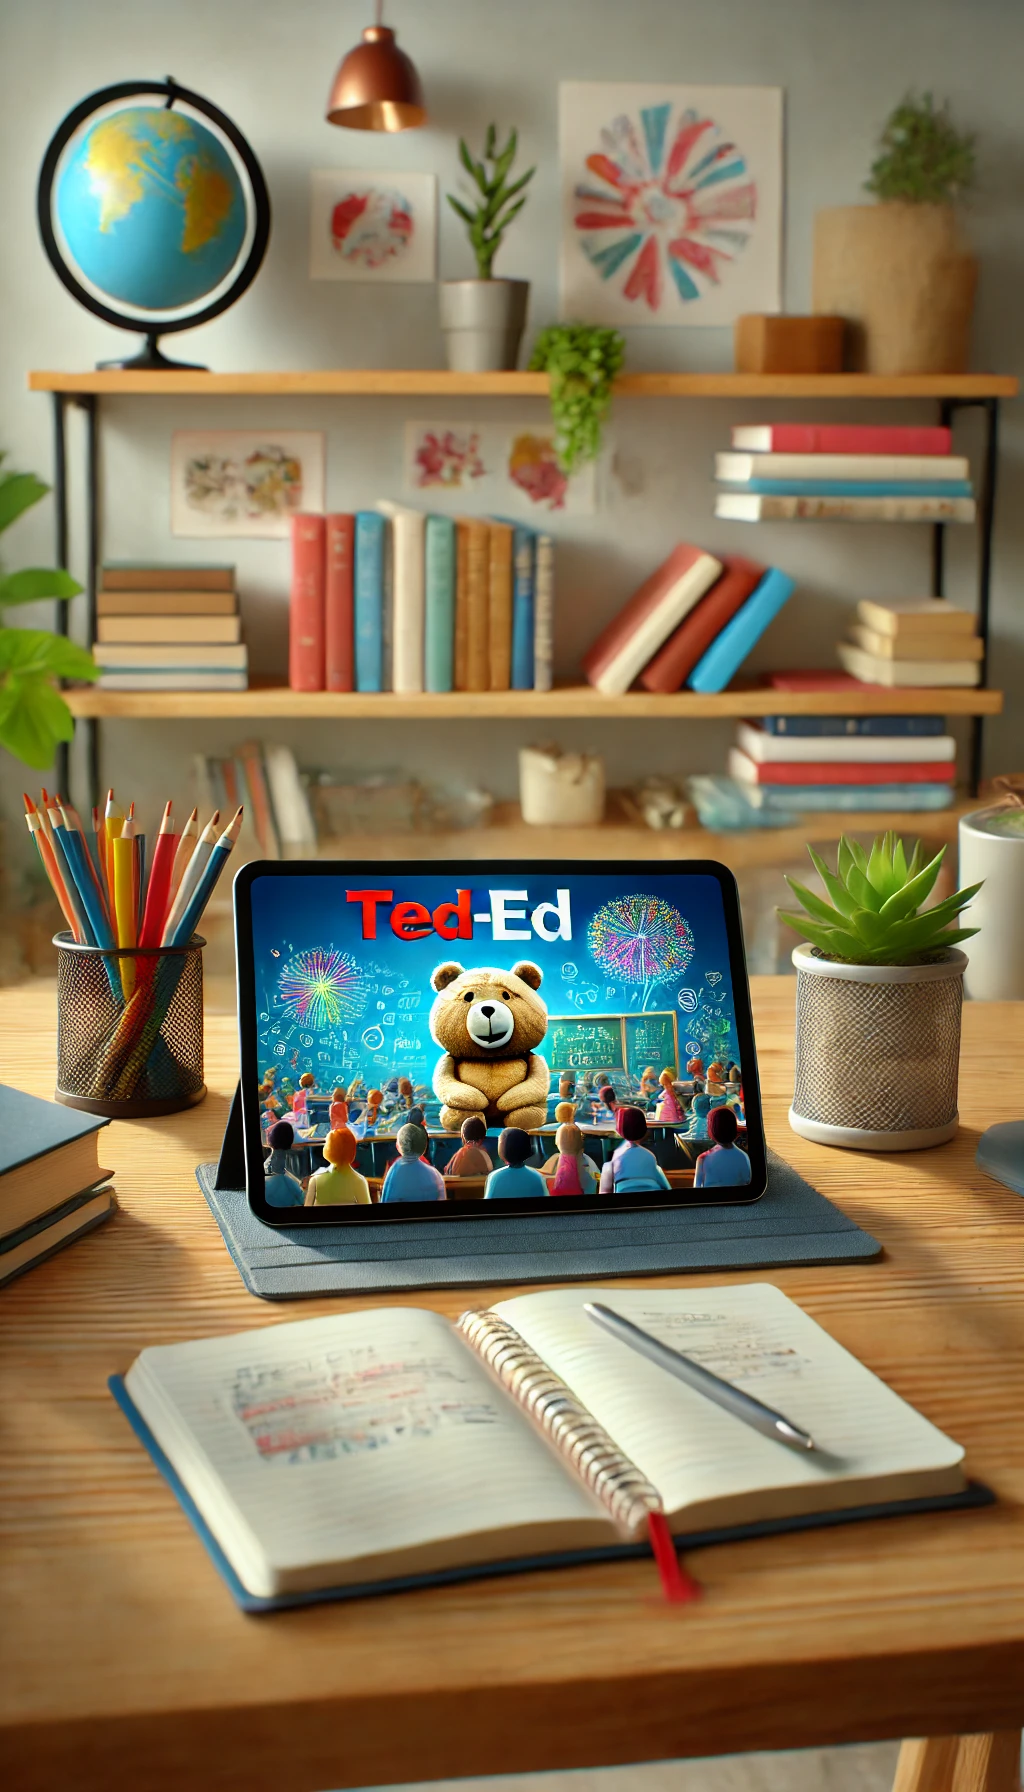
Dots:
pixel 672 202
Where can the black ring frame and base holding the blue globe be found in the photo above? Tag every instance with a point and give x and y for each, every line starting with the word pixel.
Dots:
pixel 152 359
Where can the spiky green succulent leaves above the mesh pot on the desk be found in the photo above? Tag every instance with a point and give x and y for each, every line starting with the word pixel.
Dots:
pixel 876 911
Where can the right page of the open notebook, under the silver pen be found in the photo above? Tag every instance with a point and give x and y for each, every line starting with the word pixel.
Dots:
pixel 695 1452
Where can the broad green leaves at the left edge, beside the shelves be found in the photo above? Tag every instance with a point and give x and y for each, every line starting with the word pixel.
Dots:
pixel 33 714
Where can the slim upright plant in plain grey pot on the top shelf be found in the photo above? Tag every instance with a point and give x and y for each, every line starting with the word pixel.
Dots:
pixel 483 320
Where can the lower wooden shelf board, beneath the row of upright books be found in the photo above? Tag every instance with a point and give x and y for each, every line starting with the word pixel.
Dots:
pixel 571 702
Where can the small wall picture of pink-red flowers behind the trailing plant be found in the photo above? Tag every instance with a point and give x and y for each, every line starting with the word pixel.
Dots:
pixel 494 469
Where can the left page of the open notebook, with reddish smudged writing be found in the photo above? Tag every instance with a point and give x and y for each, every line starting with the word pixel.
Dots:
pixel 351 1438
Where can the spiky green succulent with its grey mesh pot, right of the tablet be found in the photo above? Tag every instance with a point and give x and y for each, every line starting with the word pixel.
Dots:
pixel 880 990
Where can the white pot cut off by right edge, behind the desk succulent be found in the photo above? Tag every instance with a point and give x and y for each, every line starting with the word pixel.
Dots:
pixel 996 954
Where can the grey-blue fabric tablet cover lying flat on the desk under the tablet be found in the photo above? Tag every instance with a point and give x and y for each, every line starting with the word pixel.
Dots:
pixel 790 1225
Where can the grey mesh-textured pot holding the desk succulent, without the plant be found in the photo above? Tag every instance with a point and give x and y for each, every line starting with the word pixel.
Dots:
pixel 878 1053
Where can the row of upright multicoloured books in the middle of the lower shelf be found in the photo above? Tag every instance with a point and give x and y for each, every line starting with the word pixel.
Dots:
pixel 394 599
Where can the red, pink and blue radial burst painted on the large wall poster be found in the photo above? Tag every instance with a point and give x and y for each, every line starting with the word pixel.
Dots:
pixel 666 207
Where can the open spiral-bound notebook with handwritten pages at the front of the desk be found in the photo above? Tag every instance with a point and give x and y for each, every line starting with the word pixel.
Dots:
pixel 386 1447
